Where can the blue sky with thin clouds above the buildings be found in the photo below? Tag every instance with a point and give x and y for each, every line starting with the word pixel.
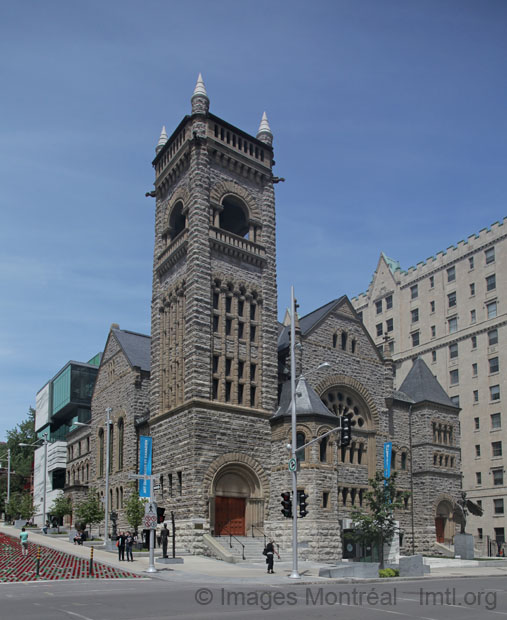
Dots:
pixel 389 120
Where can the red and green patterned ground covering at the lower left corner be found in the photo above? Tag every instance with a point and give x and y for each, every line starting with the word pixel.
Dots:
pixel 53 564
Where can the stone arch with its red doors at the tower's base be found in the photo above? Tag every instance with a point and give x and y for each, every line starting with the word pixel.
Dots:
pixel 237 487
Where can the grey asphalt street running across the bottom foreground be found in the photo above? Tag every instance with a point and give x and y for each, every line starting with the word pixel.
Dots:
pixel 155 599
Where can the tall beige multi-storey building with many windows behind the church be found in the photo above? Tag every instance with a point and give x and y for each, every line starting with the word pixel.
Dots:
pixel 451 310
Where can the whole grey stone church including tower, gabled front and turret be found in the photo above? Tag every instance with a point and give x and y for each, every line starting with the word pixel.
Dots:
pixel 219 397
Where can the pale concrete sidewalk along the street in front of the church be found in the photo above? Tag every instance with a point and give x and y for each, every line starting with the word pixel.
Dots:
pixel 200 569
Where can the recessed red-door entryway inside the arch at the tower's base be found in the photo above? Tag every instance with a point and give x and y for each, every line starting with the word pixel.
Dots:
pixel 237 502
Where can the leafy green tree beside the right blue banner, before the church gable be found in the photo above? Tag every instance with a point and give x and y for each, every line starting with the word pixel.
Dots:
pixel 378 524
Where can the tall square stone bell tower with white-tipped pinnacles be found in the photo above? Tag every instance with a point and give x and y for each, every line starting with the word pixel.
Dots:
pixel 214 327
